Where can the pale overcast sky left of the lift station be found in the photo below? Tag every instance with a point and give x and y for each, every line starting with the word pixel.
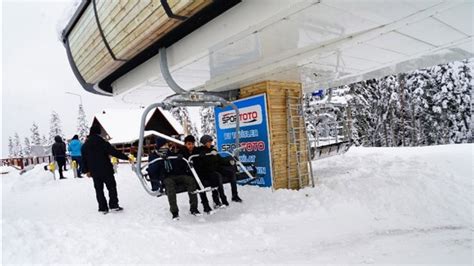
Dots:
pixel 36 72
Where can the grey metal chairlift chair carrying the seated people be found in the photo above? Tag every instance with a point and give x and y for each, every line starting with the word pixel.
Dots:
pixel 183 98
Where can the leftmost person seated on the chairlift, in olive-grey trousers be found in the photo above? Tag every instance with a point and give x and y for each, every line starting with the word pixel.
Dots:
pixel 171 173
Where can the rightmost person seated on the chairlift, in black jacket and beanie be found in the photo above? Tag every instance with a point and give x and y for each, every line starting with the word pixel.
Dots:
pixel 207 167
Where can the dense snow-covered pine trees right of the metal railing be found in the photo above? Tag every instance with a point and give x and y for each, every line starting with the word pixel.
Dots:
pixel 424 107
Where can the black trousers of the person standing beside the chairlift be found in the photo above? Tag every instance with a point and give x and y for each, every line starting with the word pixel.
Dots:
pixel 99 192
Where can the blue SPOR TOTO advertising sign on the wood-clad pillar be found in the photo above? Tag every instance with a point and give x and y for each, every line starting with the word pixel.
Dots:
pixel 254 136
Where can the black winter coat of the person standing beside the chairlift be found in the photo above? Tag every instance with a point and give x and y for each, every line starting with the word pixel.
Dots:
pixel 96 154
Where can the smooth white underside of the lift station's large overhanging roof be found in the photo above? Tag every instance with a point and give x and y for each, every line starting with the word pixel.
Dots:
pixel 318 43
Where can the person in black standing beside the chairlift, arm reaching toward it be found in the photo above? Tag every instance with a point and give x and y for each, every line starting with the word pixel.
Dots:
pixel 96 163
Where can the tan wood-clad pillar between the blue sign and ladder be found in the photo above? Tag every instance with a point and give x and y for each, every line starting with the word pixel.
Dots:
pixel 277 92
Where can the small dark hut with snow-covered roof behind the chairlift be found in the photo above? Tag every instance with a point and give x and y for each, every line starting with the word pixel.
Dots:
pixel 121 127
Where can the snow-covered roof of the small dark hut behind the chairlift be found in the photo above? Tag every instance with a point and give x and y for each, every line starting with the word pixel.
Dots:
pixel 123 125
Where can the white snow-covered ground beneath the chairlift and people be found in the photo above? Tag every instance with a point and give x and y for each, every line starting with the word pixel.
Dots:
pixel 371 205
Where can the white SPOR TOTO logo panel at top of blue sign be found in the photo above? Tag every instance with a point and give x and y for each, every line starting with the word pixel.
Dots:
pixel 249 116
